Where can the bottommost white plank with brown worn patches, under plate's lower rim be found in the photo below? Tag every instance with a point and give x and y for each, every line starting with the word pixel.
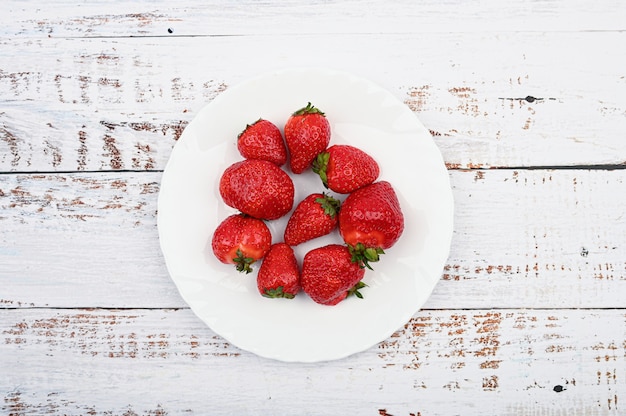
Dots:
pixel 504 362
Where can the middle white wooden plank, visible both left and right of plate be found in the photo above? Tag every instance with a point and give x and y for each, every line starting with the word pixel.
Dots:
pixel 534 238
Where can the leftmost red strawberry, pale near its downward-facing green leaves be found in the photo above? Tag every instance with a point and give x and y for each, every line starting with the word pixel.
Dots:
pixel 241 240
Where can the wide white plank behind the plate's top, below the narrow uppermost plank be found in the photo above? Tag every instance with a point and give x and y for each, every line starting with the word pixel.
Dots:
pixel 110 104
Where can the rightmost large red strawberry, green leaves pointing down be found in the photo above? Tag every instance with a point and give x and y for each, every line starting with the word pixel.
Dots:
pixel 370 221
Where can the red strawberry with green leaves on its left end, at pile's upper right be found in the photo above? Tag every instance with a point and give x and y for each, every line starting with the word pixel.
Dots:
pixel 344 168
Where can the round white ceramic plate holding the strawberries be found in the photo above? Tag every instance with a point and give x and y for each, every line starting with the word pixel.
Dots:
pixel 190 207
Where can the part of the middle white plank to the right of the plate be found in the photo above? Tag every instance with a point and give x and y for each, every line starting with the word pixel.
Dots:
pixel 554 238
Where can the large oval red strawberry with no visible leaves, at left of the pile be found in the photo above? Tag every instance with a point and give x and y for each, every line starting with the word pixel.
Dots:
pixel 258 188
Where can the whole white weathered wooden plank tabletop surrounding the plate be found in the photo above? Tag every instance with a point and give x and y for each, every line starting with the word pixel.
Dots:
pixel 525 99
